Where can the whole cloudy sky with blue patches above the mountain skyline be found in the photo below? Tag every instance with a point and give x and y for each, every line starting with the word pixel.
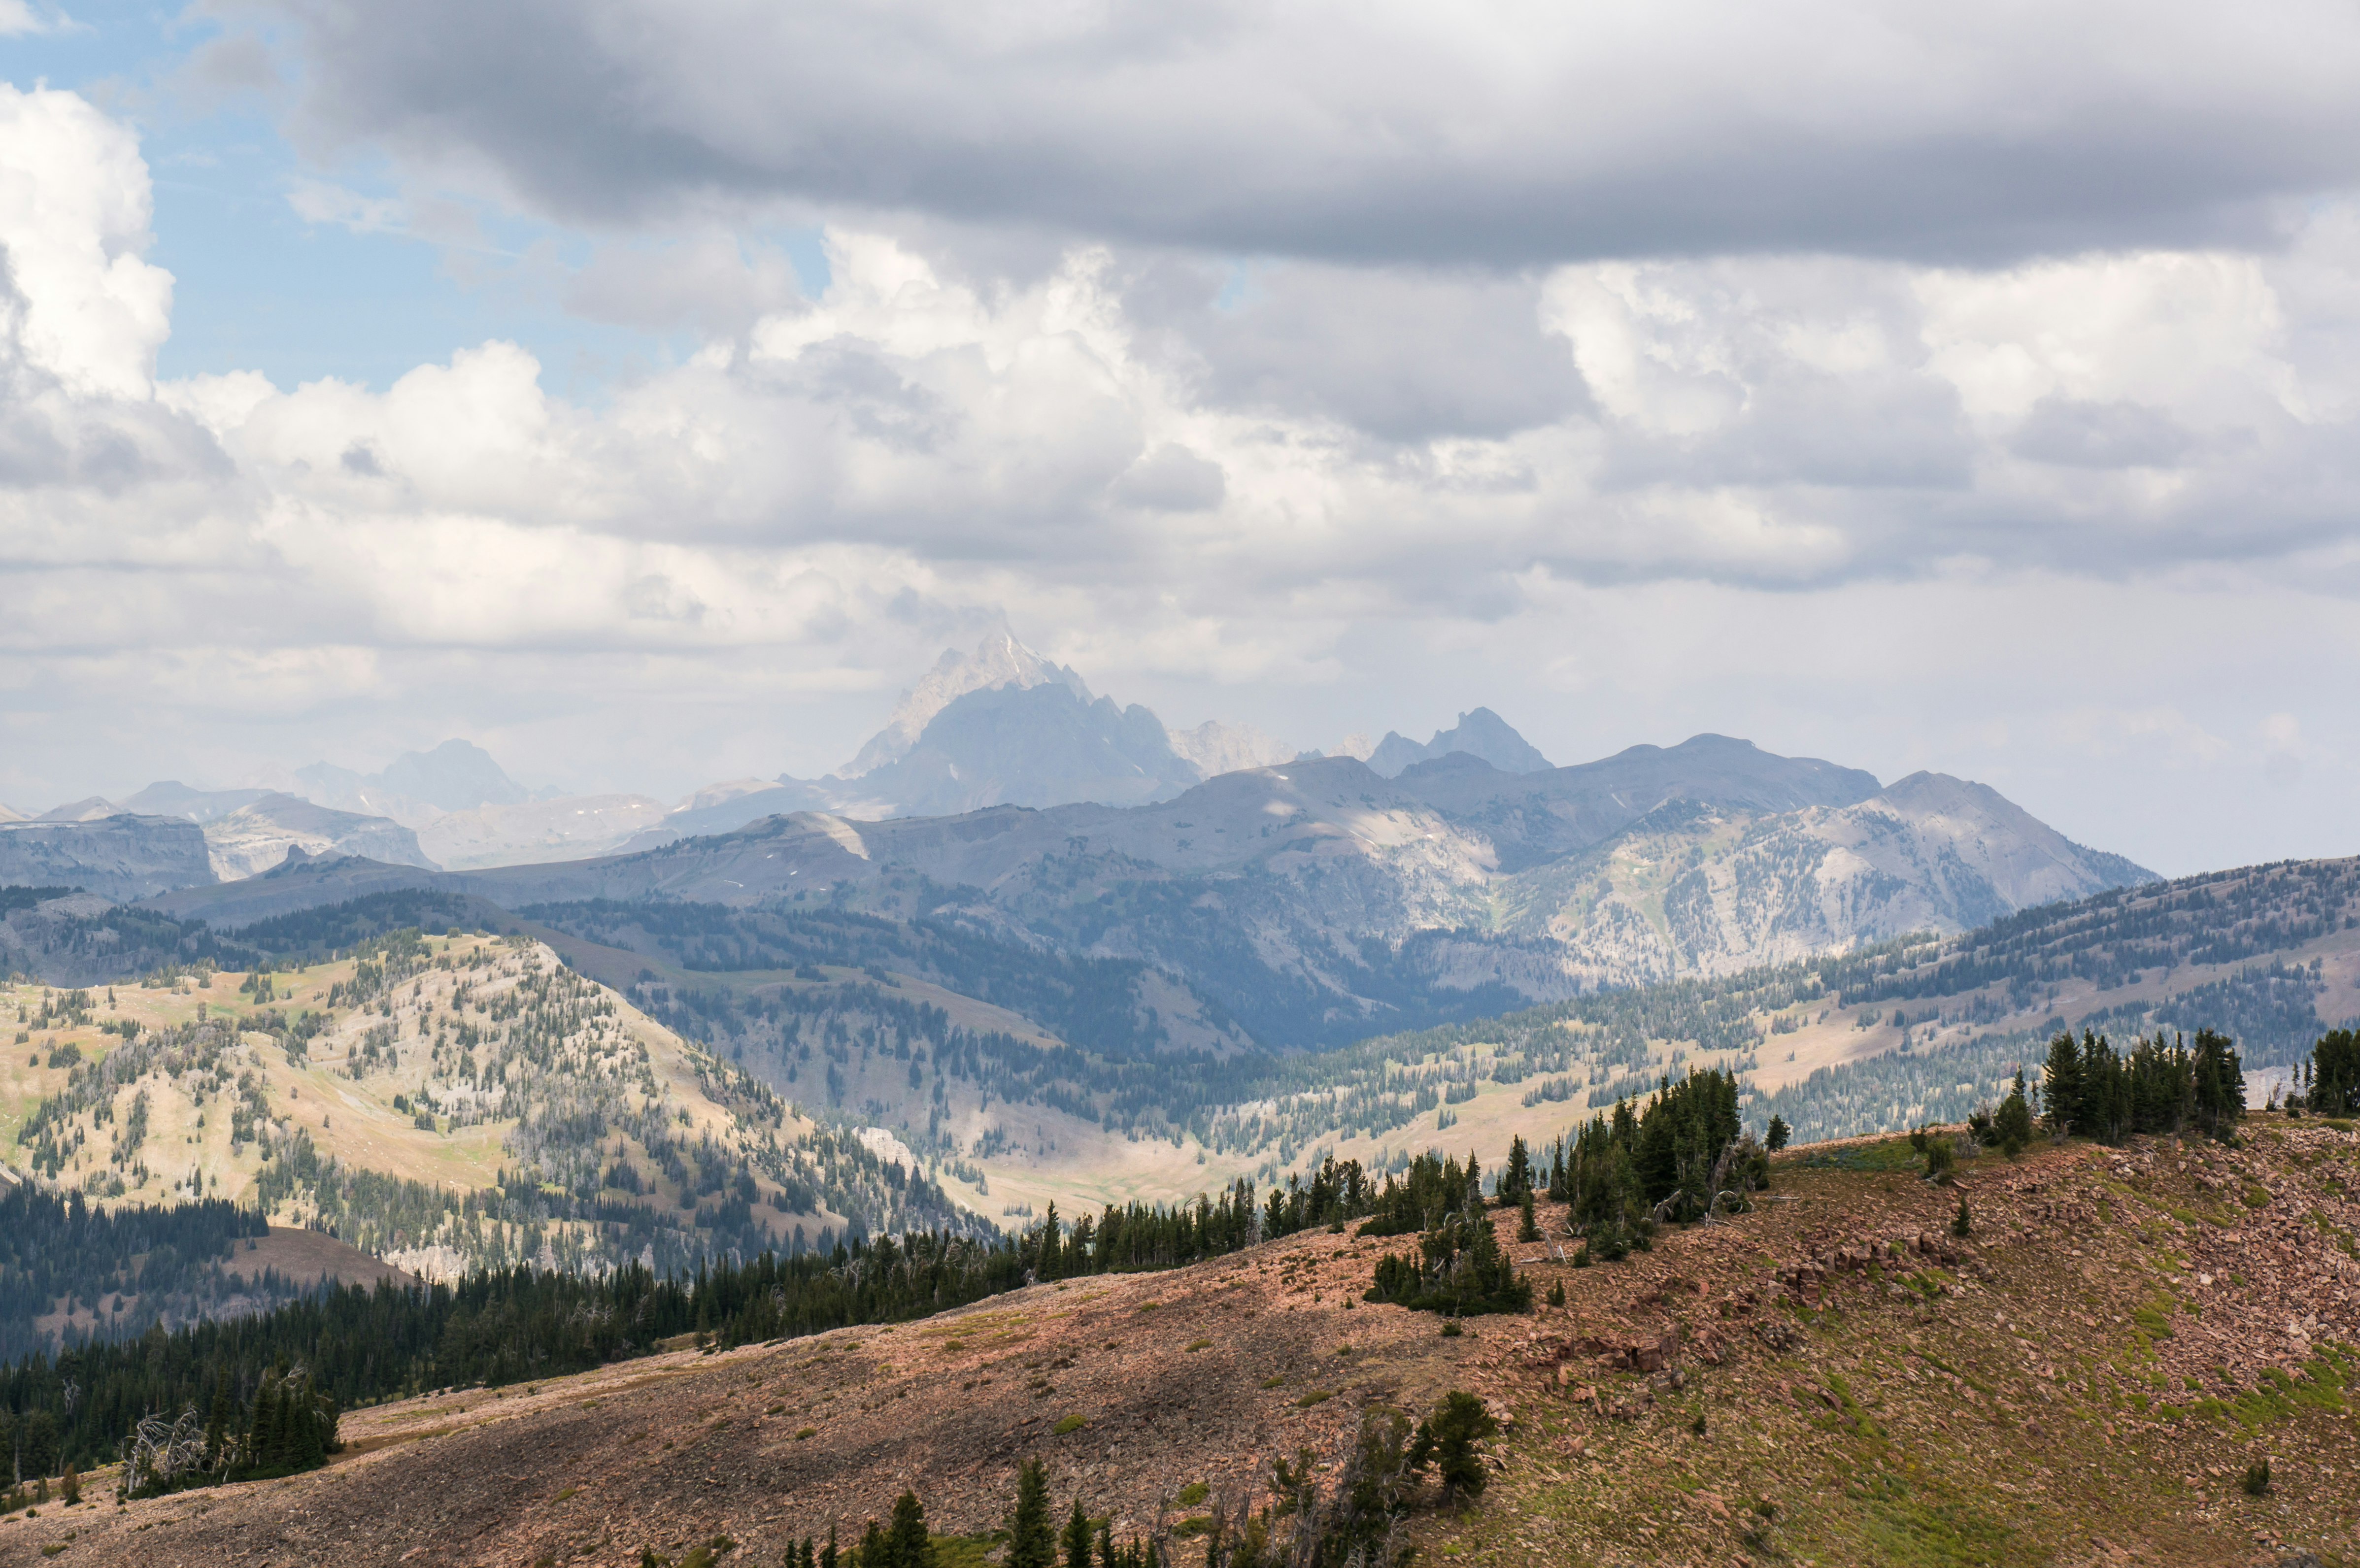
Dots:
pixel 650 393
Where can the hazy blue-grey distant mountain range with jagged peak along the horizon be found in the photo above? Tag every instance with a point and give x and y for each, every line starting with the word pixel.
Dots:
pixel 1351 895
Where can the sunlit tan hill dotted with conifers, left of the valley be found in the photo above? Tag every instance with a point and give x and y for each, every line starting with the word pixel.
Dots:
pixel 442 1102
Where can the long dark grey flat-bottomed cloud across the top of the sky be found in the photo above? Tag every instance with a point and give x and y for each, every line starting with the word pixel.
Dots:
pixel 1488 133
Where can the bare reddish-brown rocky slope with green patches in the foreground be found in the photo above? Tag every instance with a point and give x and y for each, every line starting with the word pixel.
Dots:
pixel 1835 1378
